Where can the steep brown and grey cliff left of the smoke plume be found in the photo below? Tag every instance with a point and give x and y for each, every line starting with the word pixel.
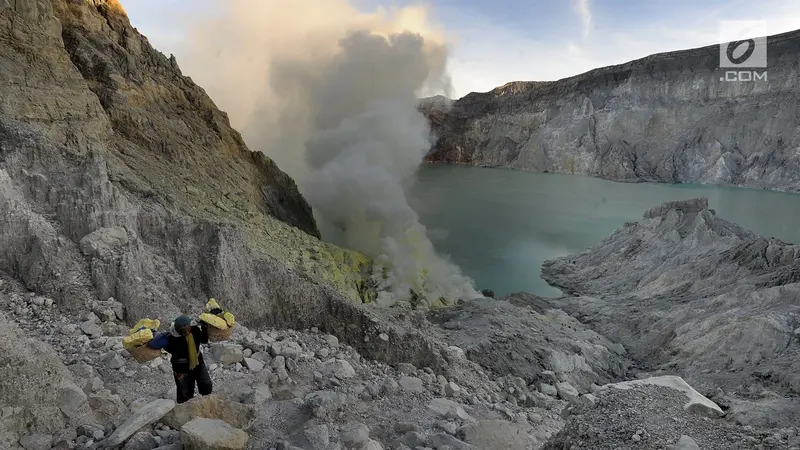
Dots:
pixel 119 177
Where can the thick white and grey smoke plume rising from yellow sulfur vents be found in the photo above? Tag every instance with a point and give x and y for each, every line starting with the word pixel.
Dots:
pixel 330 93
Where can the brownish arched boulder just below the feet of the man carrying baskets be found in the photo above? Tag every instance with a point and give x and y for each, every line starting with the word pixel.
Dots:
pixel 214 406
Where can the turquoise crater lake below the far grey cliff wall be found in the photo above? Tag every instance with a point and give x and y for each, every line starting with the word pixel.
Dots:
pixel 501 225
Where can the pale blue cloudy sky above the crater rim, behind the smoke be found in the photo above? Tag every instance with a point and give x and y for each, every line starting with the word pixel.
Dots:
pixel 497 41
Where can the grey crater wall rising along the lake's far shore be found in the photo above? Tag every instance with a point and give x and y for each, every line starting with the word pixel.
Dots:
pixel 665 118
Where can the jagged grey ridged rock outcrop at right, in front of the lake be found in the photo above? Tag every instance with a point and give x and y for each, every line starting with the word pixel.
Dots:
pixel 691 293
